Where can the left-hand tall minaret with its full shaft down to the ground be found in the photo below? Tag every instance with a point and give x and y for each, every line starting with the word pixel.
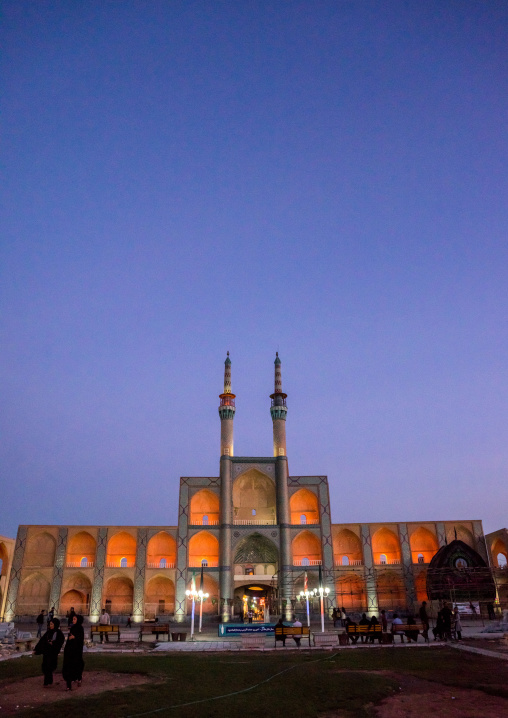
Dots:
pixel 226 413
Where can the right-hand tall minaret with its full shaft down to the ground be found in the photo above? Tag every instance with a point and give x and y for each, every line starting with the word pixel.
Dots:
pixel 279 411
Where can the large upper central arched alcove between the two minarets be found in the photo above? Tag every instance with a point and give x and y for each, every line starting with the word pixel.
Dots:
pixel 254 490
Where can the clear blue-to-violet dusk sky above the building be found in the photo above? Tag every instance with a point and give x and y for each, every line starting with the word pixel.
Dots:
pixel 325 179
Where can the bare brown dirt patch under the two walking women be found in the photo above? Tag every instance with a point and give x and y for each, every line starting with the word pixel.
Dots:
pixel 30 693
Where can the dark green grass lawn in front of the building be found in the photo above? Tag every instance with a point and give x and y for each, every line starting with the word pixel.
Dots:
pixel 347 683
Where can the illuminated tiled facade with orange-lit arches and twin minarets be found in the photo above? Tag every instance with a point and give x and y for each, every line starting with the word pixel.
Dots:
pixel 254 528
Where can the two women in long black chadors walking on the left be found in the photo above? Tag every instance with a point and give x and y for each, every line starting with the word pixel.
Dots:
pixel 50 646
